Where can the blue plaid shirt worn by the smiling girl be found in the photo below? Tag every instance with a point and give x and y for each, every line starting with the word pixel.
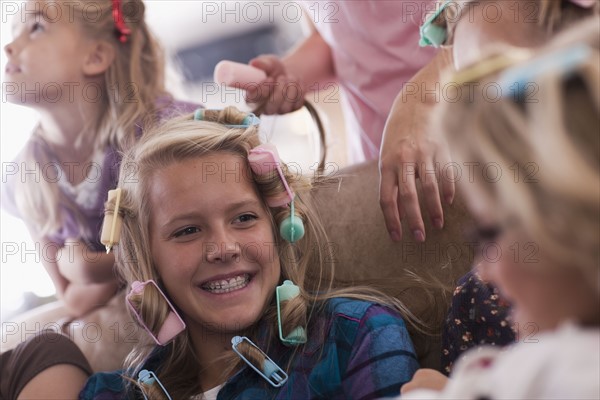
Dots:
pixel 356 350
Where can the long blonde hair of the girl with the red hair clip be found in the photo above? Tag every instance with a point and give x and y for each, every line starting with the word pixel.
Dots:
pixel 131 86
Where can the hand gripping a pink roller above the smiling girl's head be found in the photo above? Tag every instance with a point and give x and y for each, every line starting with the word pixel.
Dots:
pixel 280 92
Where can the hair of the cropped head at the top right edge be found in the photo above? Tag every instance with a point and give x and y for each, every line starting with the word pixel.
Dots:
pixel 547 17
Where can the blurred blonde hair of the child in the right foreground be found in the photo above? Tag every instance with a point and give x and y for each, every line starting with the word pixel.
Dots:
pixel 546 144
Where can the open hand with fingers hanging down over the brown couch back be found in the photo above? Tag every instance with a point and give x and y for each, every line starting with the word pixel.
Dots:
pixel 409 152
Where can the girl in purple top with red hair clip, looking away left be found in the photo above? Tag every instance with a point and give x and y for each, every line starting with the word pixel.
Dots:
pixel 92 76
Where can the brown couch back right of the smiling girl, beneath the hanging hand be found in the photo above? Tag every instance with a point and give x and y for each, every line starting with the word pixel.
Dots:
pixel 421 275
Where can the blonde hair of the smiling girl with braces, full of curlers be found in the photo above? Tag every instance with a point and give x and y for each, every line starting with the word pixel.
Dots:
pixel 304 262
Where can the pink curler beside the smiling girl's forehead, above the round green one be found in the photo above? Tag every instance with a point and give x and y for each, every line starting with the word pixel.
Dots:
pixel 263 159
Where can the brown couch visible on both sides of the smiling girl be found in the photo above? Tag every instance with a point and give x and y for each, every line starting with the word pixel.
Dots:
pixel 414 273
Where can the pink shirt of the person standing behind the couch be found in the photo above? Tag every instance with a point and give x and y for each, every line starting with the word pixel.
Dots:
pixel 375 52
